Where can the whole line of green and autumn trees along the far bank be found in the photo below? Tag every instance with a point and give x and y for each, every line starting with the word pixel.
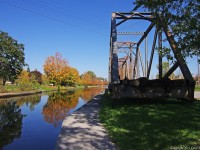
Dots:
pixel 57 70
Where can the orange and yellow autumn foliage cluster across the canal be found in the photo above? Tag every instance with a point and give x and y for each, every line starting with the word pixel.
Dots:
pixel 59 72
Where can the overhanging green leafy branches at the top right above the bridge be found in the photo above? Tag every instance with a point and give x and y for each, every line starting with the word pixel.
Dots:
pixel 182 16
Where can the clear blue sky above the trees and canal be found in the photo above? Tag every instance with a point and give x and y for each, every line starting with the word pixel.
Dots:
pixel 79 30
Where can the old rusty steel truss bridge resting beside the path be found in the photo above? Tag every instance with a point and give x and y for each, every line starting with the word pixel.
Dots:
pixel 130 67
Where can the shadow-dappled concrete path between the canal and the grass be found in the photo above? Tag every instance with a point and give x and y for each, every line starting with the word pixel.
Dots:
pixel 83 130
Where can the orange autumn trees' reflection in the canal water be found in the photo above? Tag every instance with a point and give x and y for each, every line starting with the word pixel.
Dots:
pixel 59 104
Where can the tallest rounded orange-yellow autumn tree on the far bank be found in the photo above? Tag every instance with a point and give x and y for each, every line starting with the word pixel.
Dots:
pixel 55 69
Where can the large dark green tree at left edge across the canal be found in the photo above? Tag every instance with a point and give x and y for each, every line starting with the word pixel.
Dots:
pixel 11 57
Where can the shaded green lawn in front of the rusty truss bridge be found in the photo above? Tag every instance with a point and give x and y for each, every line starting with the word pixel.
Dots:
pixel 158 124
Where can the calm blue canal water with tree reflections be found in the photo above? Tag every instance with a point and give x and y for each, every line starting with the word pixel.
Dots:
pixel 34 122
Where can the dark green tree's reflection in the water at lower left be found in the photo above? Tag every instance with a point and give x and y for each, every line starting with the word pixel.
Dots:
pixel 10 122
